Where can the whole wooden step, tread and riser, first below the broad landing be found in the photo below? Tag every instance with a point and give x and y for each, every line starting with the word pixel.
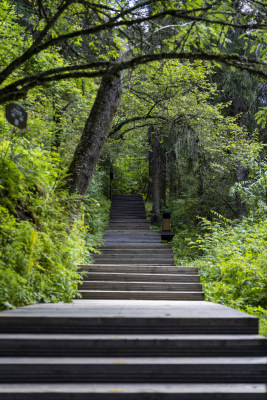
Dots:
pixel 89 345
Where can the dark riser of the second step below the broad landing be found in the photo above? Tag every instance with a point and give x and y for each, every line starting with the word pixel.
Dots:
pixel 134 373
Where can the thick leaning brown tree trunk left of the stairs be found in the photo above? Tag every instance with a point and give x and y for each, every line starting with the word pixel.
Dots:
pixel 96 130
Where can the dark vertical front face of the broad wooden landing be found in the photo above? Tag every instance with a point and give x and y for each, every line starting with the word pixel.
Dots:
pixel 128 325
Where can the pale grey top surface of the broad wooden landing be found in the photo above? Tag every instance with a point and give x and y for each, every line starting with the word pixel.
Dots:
pixel 133 309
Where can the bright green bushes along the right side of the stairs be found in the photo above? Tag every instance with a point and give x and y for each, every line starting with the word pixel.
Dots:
pixel 233 264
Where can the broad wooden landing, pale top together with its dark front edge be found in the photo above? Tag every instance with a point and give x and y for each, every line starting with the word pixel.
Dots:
pixel 134 316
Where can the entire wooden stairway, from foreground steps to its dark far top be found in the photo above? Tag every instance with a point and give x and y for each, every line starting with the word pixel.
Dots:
pixel 142 331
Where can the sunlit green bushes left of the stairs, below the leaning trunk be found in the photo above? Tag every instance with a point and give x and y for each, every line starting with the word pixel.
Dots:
pixel 39 255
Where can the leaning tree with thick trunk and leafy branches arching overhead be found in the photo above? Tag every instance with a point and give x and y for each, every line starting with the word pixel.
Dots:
pixel 173 30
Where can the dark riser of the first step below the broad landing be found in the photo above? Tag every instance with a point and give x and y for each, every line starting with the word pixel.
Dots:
pixel 130 348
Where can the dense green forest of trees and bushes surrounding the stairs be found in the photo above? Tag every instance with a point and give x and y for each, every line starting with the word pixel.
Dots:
pixel 169 95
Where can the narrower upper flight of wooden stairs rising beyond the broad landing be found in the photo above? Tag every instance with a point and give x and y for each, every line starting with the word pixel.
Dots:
pixel 134 264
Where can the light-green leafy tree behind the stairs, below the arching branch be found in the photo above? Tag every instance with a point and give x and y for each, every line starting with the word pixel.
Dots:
pixel 177 99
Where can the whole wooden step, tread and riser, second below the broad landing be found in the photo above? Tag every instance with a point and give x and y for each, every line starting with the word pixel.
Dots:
pixel 132 370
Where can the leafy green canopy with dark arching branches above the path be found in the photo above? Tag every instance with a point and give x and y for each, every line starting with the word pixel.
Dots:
pixel 92 35
